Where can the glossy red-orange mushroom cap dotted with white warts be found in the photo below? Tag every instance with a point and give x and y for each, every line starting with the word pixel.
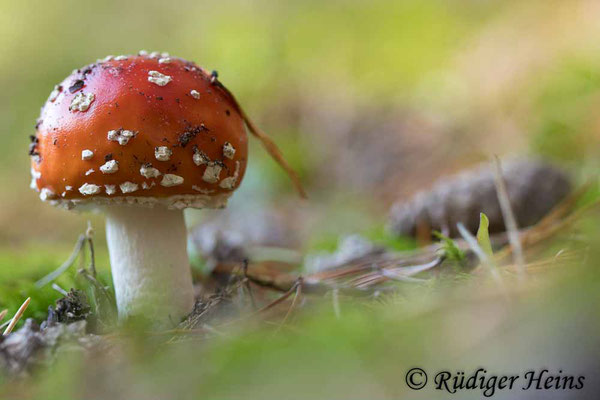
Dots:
pixel 139 129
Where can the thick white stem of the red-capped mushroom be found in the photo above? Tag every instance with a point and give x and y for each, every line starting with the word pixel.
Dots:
pixel 149 262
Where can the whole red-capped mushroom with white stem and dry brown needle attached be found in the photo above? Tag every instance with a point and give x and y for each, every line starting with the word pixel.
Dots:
pixel 141 138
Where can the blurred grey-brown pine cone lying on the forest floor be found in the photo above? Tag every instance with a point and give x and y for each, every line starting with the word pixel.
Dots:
pixel 534 188
